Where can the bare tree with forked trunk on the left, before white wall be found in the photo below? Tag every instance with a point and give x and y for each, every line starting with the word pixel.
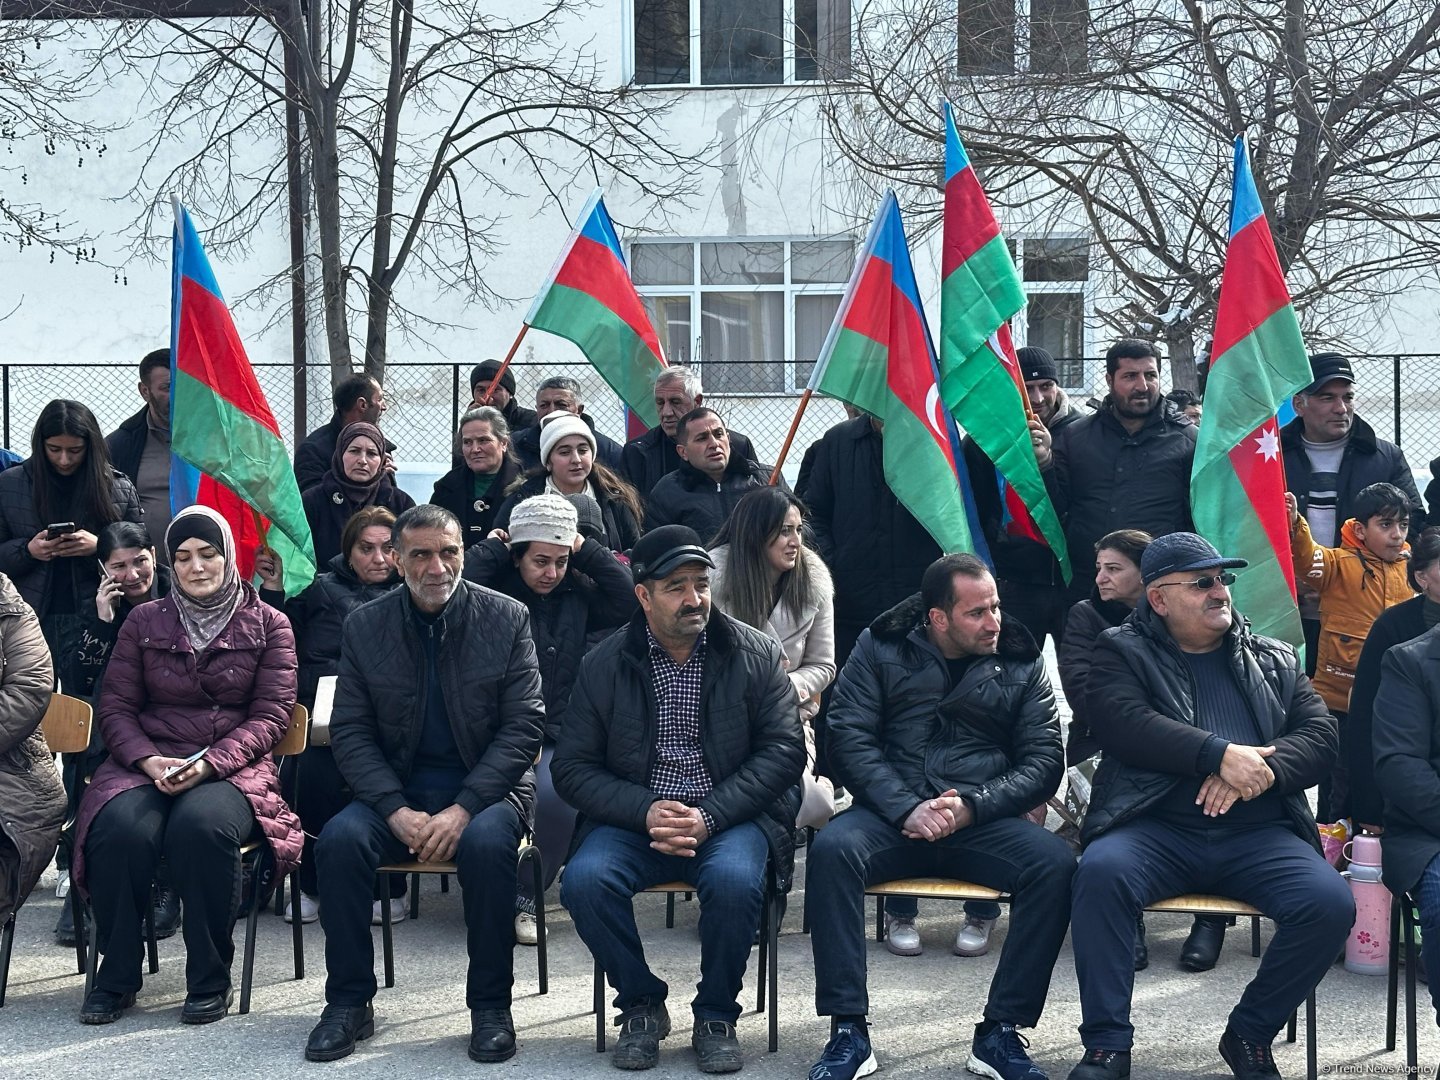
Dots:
pixel 423 122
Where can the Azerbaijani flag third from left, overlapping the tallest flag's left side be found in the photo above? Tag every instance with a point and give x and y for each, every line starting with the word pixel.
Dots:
pixel 879 358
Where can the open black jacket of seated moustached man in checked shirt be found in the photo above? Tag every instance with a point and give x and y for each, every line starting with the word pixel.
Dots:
pixel 750 726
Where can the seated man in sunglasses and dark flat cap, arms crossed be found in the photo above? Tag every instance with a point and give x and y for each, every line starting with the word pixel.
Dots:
pixel 1212 737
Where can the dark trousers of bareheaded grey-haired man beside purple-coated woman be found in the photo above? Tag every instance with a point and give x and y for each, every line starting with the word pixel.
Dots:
pixel 358 840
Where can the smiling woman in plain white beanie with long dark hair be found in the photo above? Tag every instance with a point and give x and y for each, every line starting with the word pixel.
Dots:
pixel 570 469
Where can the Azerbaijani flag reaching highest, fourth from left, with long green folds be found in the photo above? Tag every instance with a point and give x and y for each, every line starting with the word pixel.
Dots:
pixel 980 375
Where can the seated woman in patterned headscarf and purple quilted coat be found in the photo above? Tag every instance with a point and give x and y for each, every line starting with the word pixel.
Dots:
pixel 198 695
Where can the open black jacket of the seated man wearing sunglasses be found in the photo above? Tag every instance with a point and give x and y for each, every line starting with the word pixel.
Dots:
pixel 1143 712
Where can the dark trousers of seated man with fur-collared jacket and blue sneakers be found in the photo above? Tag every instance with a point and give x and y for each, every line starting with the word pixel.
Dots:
pixel 859 849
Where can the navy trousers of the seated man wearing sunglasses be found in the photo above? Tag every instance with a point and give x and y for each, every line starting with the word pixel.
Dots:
pixel 1148 860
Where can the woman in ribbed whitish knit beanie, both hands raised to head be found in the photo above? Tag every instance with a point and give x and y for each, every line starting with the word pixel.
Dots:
pixel 577 591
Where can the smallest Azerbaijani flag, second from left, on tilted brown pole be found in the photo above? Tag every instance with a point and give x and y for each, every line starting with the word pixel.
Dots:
pixel 591 300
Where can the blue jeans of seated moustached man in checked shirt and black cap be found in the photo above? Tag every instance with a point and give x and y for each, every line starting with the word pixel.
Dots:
pixel 728 872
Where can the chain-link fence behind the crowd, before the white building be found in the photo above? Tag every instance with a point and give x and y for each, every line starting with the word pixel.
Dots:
pixel 1398 395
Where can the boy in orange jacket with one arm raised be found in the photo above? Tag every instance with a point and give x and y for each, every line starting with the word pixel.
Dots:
pixel 1357 582
